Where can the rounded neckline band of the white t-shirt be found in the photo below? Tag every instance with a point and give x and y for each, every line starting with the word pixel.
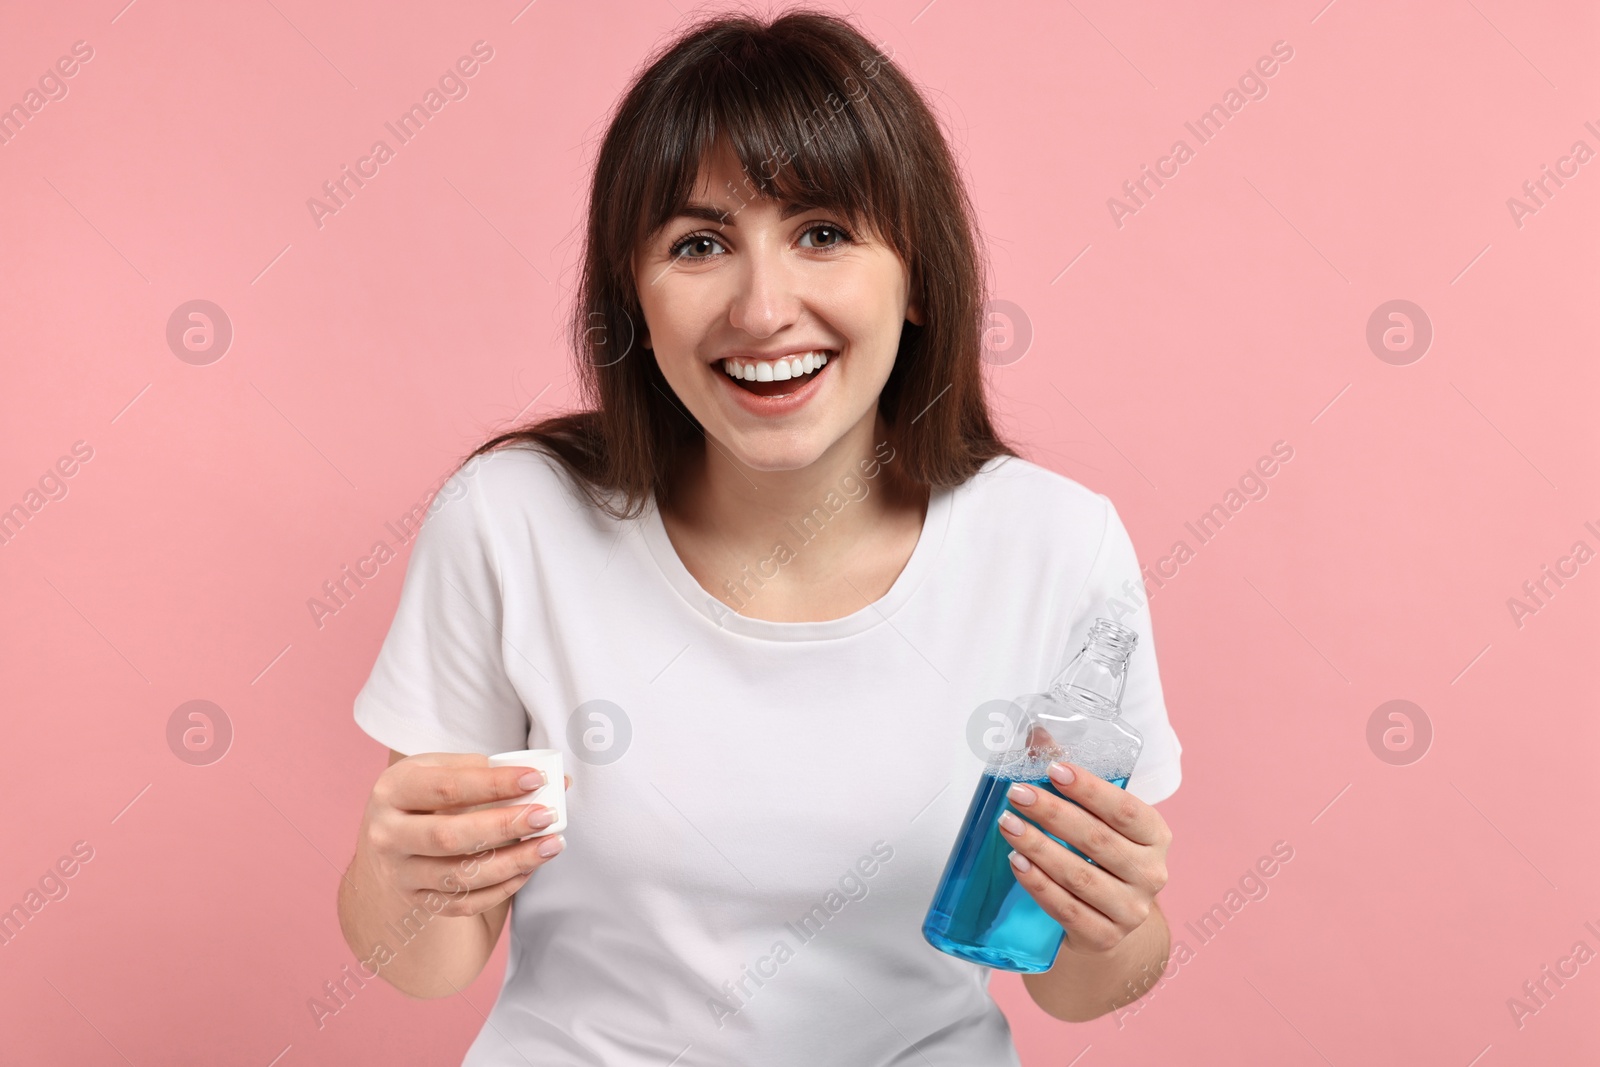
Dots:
pixel 935 529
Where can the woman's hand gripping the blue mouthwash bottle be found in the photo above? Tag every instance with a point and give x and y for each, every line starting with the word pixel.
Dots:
pixel 1098 903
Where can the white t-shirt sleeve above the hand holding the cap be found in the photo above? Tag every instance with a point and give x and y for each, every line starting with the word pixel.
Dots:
pixel 441 684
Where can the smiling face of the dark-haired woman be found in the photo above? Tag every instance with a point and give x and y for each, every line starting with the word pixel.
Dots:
pixel 767 290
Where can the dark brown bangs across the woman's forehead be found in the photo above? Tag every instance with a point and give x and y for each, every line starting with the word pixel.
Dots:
pixel 802 124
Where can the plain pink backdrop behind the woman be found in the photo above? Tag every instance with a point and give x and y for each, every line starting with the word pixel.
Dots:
pixel 1226 314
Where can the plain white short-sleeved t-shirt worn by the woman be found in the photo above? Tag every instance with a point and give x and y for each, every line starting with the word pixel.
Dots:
pixel 761 812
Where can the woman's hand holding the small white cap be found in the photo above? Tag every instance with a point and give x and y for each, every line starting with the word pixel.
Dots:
pixel 420 841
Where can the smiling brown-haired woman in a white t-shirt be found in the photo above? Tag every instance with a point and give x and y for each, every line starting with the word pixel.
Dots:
pixel 759 594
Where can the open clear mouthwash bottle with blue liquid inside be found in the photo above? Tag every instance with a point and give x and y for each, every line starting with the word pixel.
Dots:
pixel 980 911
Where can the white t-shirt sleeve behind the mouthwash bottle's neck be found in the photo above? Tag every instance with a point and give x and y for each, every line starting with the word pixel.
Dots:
pixel 1116 591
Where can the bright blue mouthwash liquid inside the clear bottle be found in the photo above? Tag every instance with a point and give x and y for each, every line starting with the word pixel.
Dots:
pixel 982 913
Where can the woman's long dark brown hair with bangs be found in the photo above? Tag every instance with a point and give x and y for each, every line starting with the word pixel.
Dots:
pixel 817 114
